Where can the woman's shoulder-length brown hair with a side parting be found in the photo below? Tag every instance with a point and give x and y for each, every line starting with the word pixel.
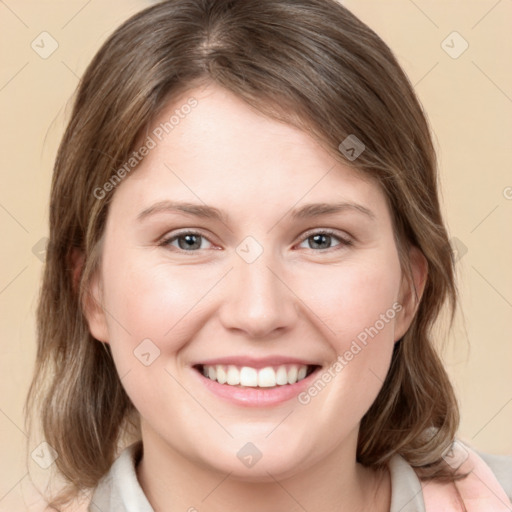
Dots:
pixel 310 63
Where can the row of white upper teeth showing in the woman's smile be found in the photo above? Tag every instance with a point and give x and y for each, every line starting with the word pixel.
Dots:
pixel 246 376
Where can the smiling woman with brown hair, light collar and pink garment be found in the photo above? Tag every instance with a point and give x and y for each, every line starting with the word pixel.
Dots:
pixel 246 260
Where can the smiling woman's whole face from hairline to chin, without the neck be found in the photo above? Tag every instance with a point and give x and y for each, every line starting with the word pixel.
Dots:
pixel 241 250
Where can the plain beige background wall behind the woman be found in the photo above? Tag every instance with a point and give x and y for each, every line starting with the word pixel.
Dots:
pixel 468 100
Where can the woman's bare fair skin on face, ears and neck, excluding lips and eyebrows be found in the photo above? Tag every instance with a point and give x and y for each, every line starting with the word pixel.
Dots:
pixel 295 299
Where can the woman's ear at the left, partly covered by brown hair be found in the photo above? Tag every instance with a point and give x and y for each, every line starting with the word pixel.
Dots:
pixel 93 301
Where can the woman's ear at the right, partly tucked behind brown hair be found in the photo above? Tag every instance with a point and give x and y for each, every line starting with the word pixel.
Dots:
pixel 411 291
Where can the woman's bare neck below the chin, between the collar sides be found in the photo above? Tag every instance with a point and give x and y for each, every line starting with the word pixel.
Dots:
pixel 336 482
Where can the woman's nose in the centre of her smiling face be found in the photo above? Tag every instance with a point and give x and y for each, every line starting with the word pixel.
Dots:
pixel 257 300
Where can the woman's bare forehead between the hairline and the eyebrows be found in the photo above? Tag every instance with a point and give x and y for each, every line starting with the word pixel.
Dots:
pixel 221 150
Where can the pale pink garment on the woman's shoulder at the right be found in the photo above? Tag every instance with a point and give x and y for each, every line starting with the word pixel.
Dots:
pixel 478 492
